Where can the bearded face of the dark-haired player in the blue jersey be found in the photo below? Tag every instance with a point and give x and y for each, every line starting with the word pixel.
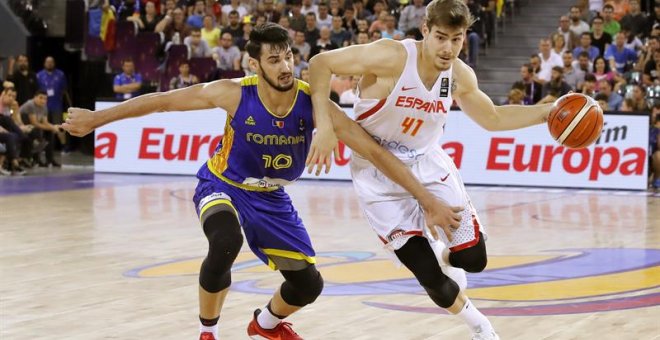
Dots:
pixel 276 67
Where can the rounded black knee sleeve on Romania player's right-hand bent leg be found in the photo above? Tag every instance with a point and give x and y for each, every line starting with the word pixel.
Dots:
pixel 301 287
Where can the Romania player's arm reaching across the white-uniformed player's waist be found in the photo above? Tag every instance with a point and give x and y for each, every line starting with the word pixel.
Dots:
pixel 437 213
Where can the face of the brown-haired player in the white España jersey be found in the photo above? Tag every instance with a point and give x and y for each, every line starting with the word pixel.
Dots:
pixel 442 44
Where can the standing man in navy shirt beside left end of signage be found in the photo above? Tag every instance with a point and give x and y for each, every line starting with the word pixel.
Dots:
pixel 53 82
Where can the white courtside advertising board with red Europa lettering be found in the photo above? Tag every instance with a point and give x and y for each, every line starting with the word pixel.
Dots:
pixel 179 143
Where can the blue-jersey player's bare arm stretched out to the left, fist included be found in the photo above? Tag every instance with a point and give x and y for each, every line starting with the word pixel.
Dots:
pixel 224 94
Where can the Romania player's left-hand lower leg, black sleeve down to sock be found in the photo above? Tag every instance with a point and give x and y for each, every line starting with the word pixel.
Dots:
pixel 223 232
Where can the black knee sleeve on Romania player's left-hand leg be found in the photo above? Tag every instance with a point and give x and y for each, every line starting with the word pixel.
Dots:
pixel 225 240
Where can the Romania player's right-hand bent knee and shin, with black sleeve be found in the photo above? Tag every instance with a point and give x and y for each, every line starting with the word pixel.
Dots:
pixel 300 288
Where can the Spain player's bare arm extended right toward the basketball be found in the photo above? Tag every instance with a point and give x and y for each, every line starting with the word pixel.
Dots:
pixel 478 106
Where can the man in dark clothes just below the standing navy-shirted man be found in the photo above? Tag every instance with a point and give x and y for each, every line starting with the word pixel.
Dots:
pixel 35 113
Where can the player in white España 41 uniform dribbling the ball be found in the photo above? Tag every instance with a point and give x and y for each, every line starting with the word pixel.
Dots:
pixel 406 91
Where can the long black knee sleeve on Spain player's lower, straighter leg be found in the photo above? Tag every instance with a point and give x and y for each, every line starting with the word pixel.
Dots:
pixel 418 256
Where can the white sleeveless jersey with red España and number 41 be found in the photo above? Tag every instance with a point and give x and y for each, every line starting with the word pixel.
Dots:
pixel 410 121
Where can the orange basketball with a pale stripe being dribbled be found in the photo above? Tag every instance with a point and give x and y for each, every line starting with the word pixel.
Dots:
pixel 575 120
